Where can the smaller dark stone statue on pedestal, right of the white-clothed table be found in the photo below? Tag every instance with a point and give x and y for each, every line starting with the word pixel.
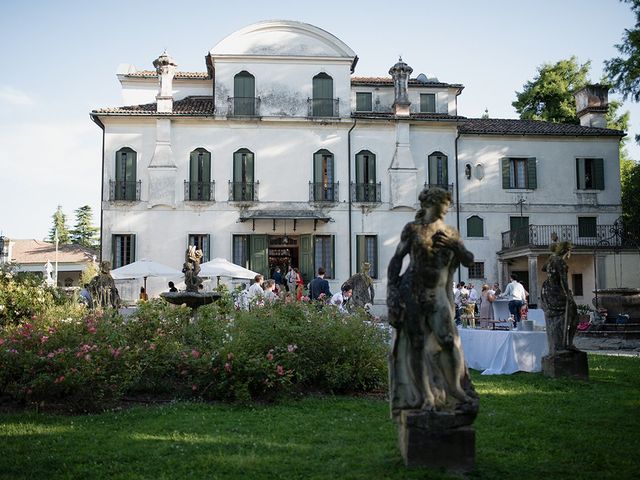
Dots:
pixel 561 318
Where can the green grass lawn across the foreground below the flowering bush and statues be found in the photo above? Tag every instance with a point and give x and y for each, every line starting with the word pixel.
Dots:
pixel 528 427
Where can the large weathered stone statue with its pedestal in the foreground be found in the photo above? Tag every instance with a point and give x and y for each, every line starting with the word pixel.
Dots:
pixel 432 397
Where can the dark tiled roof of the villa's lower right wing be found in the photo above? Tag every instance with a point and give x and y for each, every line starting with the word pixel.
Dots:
pixel 497 126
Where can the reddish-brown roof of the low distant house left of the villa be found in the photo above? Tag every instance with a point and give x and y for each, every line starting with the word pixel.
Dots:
pixel 24 252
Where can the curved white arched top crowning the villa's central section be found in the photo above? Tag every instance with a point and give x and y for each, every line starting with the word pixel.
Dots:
pixel 283 38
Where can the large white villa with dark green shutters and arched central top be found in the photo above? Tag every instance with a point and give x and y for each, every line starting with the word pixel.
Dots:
pixel 278 155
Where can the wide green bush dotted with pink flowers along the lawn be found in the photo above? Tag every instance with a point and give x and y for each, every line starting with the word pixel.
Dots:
pixel 86 359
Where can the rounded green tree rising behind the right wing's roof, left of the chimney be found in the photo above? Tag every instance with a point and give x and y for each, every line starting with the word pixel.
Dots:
pixel 549 96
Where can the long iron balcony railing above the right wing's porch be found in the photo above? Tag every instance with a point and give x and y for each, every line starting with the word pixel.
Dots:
pixel 578 235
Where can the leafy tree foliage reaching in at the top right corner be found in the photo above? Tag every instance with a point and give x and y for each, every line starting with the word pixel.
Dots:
pixel 624 71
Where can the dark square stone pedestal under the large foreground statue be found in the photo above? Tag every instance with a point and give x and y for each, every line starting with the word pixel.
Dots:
pixel 437 439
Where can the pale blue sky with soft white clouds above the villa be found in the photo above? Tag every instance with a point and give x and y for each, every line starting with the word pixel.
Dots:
pixel 59 61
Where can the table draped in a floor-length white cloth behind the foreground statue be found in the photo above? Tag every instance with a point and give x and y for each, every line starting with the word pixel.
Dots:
pixel 498 352
